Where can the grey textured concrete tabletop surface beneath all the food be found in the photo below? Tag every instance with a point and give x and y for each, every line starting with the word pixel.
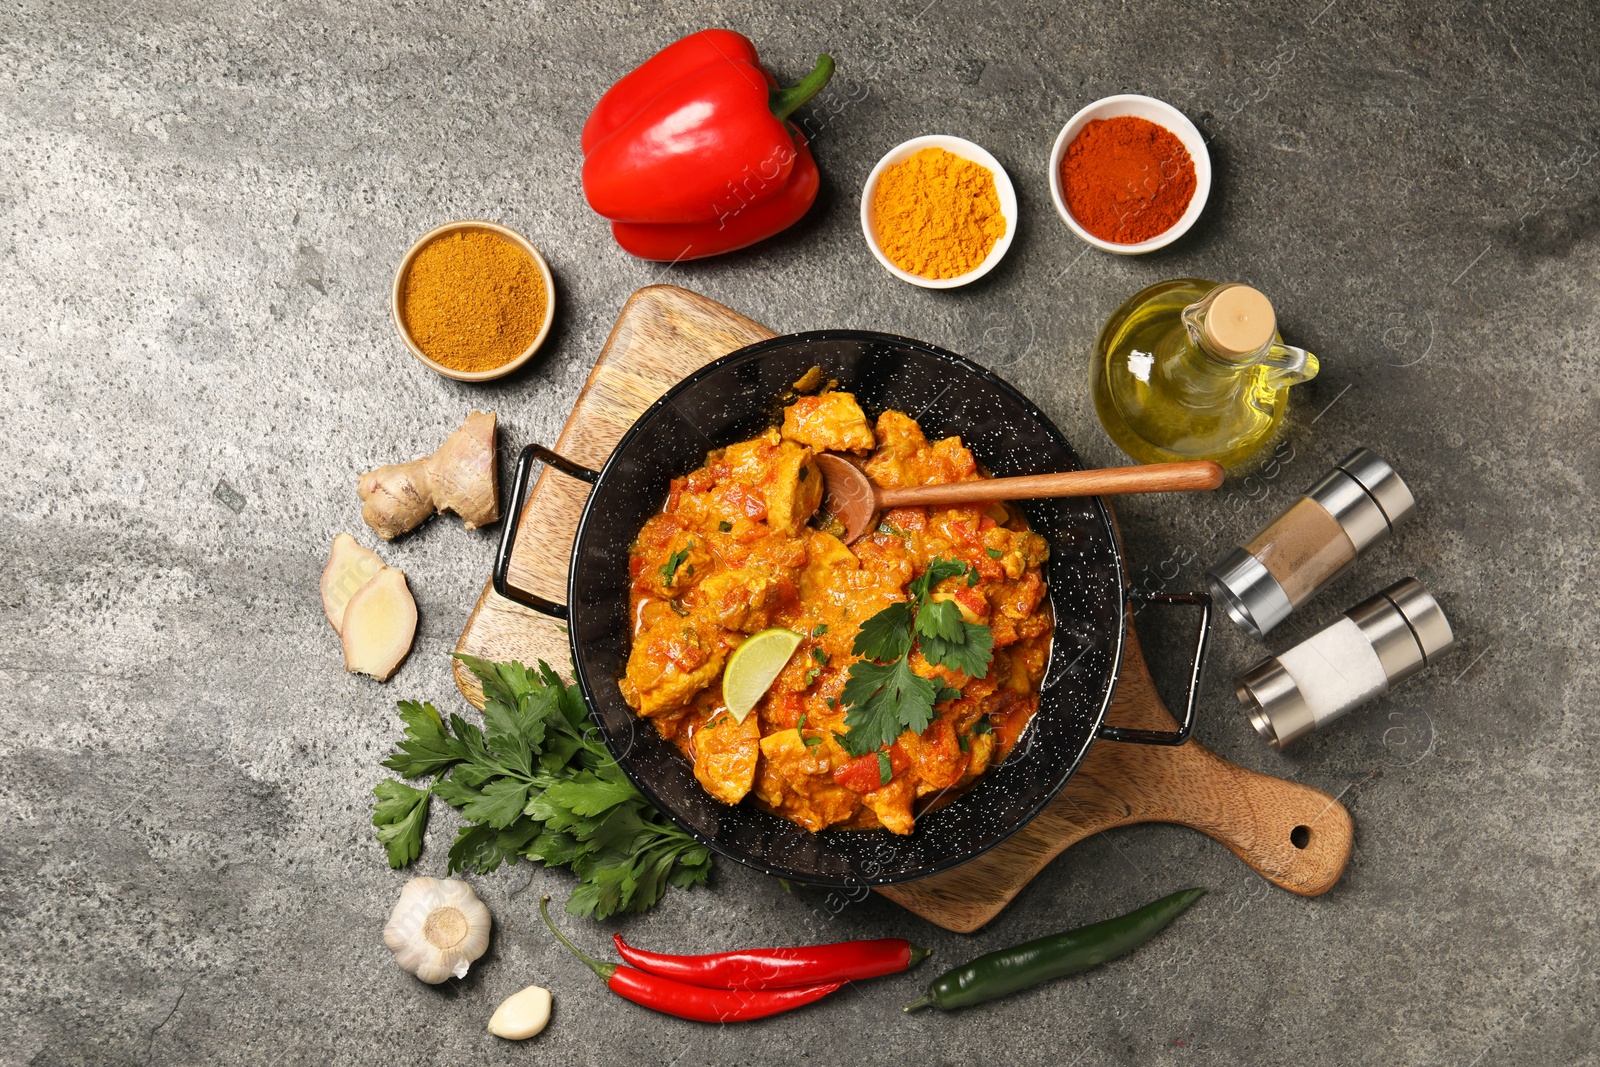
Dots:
pixel 201 209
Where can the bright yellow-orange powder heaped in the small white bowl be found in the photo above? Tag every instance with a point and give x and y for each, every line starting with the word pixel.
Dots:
pixel 937 215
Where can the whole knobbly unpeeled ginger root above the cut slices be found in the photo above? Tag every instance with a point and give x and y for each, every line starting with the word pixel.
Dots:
pixel 460 478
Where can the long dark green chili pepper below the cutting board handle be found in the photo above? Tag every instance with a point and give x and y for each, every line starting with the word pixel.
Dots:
pixel 1009 970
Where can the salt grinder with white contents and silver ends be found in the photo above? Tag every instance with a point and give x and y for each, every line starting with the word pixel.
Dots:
pixel 1372 647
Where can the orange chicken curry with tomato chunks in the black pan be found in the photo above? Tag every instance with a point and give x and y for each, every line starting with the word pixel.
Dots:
pixel 734 554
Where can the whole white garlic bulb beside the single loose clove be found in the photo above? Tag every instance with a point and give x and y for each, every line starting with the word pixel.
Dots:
pixel 438 930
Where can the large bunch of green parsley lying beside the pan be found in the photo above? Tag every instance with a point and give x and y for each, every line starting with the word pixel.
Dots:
pixel 535 781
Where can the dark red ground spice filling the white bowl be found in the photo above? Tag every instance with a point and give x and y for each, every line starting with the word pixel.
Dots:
pixel 1127 180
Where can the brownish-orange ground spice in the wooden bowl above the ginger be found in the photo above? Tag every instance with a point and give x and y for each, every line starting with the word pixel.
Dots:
pixel 473 300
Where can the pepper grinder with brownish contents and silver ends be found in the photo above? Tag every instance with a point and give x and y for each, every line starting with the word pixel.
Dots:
pixel 1356 506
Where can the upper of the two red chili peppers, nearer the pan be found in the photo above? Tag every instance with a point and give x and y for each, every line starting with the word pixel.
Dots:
pixel 780 969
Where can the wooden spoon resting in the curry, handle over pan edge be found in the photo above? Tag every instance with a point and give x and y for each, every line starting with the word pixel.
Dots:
pixel 850 497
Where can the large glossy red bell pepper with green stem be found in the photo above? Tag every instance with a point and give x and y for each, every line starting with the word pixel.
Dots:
pixel 692 154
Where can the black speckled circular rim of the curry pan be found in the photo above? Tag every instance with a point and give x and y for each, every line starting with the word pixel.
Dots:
pixel 1118 641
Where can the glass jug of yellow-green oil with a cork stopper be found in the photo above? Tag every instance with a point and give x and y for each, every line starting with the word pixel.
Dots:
pixel 1194 370
